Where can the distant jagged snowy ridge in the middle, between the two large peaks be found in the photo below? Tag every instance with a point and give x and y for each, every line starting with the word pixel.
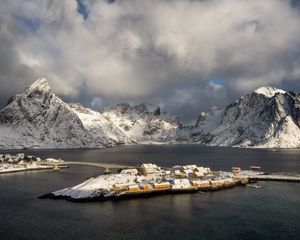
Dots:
pixel 144 123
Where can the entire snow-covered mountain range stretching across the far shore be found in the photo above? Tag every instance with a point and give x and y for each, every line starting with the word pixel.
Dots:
pixel 37 118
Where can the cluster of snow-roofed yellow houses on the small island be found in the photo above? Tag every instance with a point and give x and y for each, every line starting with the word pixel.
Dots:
pixel 152 178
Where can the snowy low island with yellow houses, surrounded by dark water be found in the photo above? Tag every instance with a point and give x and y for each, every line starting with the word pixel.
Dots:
pixel 149 179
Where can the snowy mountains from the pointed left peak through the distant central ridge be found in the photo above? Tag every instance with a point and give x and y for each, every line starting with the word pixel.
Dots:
pixel 37 118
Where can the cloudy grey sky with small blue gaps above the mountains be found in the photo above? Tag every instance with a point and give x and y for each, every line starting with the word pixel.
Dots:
pixel 183 55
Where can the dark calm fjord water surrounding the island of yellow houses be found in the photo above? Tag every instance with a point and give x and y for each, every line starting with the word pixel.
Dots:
pixel 272 212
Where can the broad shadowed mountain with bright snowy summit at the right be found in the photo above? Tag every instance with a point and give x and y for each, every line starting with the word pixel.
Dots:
pixel 267 117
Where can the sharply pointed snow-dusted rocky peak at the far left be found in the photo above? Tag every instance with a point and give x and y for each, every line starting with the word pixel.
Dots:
pixel 37 118
